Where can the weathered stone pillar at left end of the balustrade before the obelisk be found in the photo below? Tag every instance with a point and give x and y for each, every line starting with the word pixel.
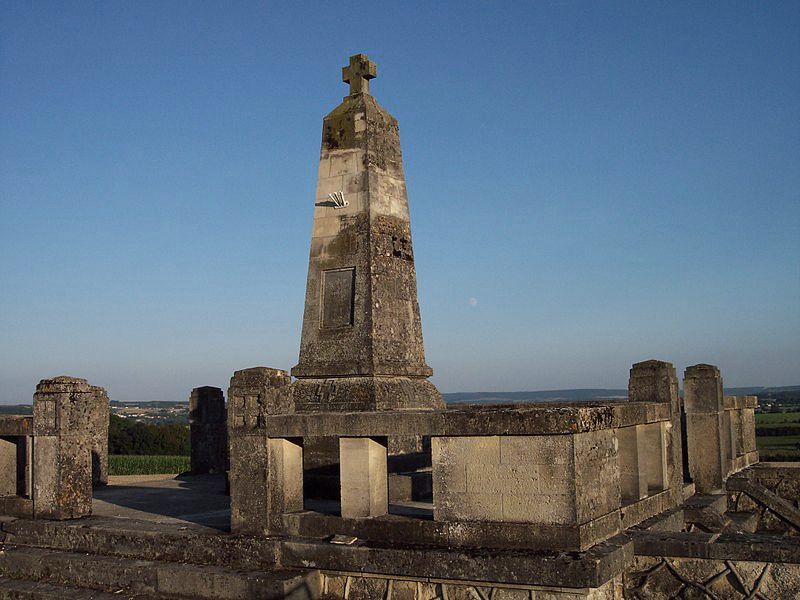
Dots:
pixel 253 394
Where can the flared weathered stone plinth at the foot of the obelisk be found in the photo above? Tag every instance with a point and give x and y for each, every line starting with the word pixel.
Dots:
pixel 344 394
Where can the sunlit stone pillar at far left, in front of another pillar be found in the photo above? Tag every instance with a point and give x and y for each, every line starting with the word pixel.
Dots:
pixel 62 455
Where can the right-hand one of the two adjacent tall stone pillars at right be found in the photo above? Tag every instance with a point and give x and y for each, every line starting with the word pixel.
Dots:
pixel 705 409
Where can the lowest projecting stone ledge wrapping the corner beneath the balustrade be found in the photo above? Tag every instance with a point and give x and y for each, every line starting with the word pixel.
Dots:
pixel 517 567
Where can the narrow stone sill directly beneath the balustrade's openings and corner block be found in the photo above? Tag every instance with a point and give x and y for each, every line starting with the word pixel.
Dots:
pixel 458 534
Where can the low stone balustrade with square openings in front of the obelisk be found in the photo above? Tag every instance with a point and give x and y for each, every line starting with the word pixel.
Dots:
pixel 547 476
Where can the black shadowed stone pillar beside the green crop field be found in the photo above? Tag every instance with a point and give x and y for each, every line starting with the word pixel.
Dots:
pixel 208 431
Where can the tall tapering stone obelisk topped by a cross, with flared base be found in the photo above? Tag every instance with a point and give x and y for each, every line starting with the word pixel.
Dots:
pixel 361 346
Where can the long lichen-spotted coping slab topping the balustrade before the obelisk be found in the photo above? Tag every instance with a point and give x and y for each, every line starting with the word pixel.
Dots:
pixel 525 419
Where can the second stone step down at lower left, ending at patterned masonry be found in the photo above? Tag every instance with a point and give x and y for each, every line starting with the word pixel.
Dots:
pixel 153 578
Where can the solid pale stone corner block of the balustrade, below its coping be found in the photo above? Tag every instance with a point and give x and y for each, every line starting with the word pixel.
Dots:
pixel 559 479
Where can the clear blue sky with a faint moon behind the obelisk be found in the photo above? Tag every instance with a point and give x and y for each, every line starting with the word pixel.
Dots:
pixel 591 185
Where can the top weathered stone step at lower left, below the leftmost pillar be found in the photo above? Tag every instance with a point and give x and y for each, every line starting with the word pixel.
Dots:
pixel 128 538
